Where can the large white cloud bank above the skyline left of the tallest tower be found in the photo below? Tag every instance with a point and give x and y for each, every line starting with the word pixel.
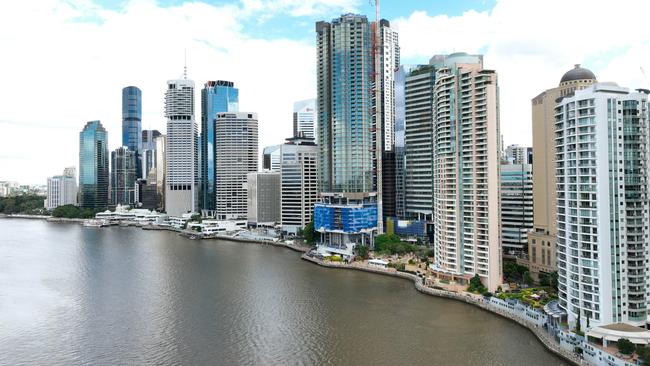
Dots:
pixel 61 70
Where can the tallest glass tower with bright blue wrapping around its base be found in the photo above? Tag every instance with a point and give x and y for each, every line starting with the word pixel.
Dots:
pixel 346 133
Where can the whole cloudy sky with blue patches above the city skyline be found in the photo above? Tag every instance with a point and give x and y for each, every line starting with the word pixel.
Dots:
pixel 65 62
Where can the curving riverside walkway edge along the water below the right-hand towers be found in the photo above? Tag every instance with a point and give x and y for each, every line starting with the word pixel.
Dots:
pixel 547 341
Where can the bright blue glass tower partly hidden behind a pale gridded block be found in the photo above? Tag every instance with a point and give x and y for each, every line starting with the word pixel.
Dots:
pixel 216 97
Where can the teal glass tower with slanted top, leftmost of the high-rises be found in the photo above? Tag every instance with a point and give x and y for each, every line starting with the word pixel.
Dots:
pixel 93 166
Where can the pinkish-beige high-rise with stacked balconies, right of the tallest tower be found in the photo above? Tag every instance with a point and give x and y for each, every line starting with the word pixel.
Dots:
pixel 466 169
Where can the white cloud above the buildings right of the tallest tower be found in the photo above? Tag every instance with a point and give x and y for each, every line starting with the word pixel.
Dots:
pixel 532 43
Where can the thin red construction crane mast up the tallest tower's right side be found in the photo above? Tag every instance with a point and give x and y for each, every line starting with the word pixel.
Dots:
pixel 379 148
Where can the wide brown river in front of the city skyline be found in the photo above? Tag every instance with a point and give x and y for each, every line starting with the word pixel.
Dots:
pixel 111 296
